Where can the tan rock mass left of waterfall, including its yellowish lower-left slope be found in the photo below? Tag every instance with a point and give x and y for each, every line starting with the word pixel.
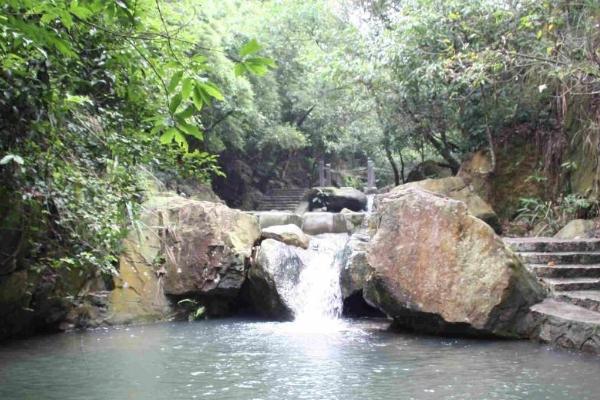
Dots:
pixel 183 247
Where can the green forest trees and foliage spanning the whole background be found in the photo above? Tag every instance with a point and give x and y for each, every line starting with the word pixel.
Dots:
pixel 93 90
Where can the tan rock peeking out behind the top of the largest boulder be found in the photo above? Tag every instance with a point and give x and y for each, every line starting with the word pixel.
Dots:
pixel 456 188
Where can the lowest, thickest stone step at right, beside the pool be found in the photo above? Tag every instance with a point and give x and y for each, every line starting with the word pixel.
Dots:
pixel 567 325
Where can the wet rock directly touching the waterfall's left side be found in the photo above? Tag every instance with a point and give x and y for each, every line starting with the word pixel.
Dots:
pixel 274 273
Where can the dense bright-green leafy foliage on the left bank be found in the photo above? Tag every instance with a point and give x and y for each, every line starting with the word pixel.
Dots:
pixel 91 90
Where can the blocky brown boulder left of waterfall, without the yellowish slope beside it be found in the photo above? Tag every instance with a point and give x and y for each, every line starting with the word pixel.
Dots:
pixel 207 248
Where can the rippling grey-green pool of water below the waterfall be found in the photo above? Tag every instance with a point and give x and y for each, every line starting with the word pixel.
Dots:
pixel 234 359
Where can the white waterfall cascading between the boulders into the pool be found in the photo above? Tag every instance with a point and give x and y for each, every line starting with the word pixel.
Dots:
pixel 316 299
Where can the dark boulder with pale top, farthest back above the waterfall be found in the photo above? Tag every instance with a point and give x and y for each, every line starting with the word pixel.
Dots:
pixel 336 199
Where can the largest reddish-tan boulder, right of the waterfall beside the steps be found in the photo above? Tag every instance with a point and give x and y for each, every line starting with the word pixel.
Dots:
pixel 438 269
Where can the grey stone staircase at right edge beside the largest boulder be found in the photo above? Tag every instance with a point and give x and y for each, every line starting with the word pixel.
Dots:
pixel 570 316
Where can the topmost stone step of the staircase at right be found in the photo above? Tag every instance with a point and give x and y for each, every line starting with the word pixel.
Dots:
pixel 541 245
